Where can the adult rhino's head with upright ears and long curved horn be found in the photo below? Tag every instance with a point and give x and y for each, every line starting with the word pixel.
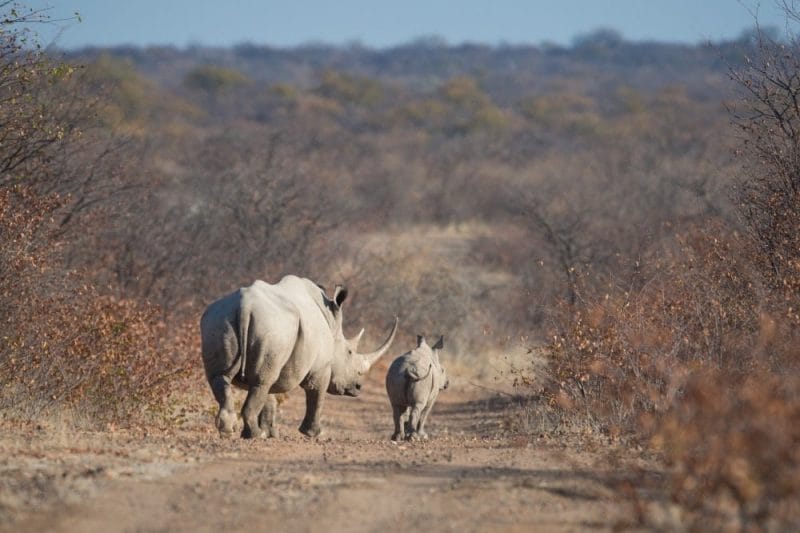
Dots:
pixel 350 366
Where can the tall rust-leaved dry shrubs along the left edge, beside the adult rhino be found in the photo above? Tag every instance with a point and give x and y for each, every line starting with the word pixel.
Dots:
pixel 63 345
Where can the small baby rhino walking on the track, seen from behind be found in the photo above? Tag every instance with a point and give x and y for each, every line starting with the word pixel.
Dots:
pixel 413 382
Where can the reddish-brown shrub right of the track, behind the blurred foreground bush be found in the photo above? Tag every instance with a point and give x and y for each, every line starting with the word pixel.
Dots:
pixel 625 351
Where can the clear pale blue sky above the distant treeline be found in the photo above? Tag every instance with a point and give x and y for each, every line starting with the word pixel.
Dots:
pixel 380 23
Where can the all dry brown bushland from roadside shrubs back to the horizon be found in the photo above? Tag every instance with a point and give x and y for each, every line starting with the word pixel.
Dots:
pixel 624 213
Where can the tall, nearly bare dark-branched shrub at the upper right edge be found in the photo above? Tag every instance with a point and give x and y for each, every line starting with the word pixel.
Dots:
pixel 767 118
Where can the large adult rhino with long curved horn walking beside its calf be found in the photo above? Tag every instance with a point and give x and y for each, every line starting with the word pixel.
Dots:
pixel 270 339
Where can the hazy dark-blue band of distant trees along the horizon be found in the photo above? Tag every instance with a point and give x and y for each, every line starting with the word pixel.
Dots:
pixel 599 58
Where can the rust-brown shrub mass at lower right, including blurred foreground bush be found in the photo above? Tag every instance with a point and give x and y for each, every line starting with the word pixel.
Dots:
pixel 698 358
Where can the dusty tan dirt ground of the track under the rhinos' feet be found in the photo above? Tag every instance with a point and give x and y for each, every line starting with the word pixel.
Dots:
pixel 472 475
